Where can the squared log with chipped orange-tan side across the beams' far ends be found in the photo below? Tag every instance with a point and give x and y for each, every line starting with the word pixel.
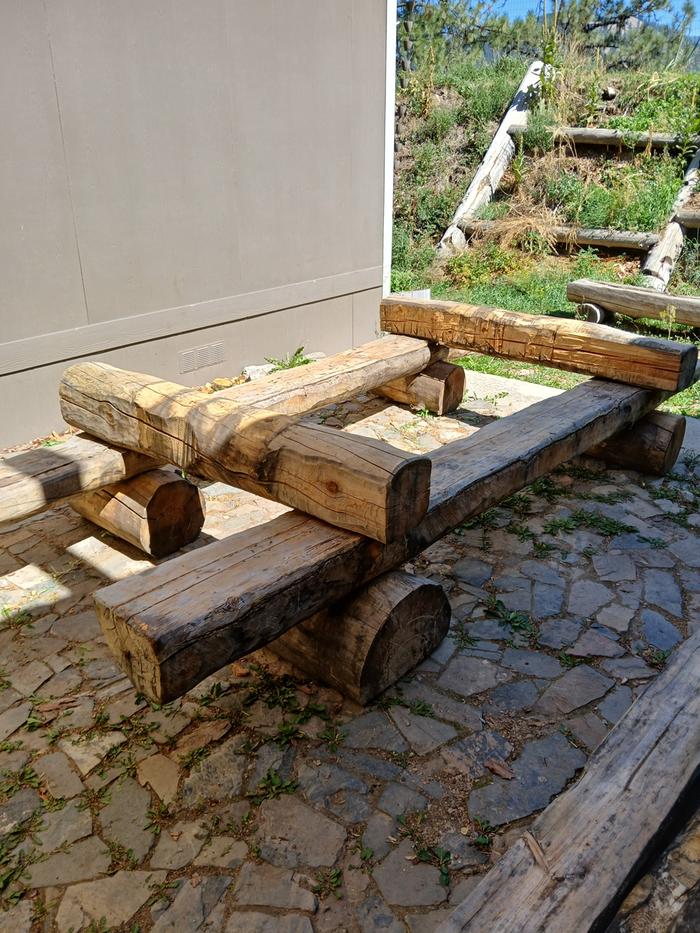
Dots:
pixel 576 346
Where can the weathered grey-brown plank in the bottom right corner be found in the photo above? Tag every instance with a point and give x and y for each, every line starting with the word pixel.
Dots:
pixel 593 838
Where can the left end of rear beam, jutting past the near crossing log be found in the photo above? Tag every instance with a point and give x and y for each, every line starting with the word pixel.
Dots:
pixel 37 479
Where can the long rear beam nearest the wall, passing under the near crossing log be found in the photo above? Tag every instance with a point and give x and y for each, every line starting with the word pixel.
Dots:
pixel 34 480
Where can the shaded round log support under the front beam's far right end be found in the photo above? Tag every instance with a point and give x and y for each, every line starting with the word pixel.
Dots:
pixel 650 446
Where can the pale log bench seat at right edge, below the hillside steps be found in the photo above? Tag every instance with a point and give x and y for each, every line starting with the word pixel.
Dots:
pixel 633 301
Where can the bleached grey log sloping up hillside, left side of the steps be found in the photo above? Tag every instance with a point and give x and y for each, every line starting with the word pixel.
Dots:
pixel 493 166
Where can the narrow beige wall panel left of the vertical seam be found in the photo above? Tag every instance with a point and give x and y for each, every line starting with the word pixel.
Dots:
pixel 40 284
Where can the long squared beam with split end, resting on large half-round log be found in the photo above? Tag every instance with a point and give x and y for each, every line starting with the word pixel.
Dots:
pixel 172 626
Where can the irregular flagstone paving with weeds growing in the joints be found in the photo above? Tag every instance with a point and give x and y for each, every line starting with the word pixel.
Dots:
pixel 260 802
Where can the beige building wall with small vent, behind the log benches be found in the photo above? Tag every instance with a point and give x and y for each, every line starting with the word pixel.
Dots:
pixel 185 187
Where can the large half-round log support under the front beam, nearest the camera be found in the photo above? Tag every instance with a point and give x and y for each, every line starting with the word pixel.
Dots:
pixel 365 644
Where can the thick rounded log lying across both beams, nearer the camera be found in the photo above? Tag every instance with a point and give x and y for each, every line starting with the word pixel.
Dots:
pixel 356 483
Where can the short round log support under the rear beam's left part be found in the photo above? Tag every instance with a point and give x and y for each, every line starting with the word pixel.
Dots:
pixel 158 512
